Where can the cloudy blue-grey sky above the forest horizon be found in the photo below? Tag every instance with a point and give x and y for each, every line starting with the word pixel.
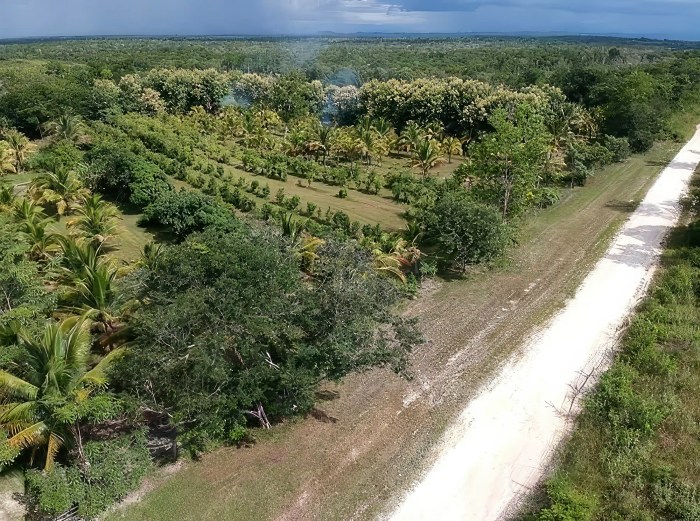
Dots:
pixel 654 18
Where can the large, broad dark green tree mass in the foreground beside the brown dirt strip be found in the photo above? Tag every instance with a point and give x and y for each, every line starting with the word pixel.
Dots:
pixel 233 334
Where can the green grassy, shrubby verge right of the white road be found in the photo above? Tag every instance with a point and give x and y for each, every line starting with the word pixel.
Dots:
pixel 635 452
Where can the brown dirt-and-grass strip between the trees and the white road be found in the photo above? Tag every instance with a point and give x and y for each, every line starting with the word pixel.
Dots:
pixel 379 432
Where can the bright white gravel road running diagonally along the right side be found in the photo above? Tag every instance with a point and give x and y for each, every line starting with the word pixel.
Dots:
pixel 498 447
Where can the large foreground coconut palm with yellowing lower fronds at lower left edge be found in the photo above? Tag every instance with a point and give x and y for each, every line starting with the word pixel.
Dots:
pixel 43 410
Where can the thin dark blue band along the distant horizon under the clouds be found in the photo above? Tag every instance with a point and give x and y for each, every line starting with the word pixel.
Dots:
pixel 376 34
